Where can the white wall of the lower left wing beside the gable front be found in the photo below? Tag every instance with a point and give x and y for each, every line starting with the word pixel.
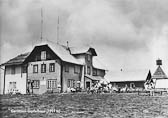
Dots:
pixel 18 77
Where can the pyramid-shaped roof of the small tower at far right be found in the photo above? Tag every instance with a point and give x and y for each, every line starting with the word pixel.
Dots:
pixel 159 74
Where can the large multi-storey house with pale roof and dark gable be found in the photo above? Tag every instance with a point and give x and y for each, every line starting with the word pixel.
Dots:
pixel 52 67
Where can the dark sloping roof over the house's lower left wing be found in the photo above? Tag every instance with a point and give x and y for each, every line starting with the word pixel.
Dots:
pixel 17 60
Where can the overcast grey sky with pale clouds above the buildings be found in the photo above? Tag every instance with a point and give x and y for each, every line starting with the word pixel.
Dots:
pixel 127 34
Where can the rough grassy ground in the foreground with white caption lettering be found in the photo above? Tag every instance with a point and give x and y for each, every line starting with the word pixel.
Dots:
pixel 81 105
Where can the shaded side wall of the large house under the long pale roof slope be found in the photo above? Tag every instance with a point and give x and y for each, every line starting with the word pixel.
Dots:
pixel 70 75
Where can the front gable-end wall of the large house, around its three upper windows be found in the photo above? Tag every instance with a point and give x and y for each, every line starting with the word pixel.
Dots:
pixel 43 77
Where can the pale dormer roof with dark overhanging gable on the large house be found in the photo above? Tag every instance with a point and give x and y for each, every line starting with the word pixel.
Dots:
pixel 82 50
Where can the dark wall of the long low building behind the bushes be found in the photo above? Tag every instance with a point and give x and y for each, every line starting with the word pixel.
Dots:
pixel 137 84
